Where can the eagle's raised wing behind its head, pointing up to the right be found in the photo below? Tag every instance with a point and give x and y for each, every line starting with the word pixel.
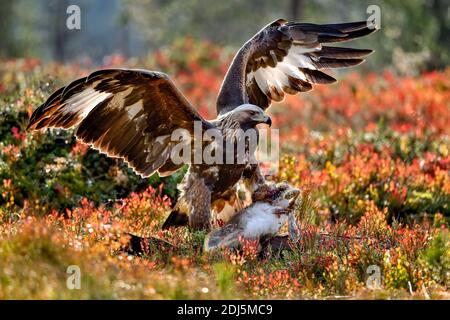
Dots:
pixel 286 57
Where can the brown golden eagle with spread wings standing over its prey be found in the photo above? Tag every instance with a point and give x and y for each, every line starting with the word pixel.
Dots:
pixel 131 114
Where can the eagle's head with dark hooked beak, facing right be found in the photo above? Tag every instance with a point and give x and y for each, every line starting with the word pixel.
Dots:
pixel 245 116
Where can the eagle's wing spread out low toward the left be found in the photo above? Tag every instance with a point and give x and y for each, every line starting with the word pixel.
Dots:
pixel 129 114
